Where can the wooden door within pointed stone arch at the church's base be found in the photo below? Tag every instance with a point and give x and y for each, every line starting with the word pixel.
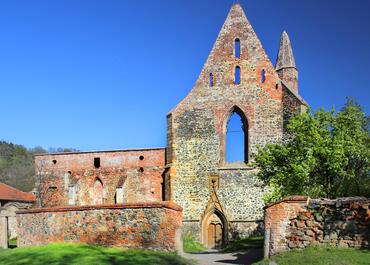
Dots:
pixel 214 229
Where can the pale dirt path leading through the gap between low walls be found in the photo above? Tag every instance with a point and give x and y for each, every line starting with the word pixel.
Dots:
pixel 214 257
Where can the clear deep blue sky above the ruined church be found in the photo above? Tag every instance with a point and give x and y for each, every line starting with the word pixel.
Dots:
pixel 103 74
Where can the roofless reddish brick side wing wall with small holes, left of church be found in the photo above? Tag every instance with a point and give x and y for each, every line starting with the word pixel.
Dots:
pixel 93 178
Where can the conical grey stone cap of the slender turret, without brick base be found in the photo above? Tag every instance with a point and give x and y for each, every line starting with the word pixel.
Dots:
pixel 285 57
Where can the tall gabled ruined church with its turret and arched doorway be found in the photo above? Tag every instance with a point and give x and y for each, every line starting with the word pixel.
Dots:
pixel 222 199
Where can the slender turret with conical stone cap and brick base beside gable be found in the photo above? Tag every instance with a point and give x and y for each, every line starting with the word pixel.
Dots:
pixel 285 63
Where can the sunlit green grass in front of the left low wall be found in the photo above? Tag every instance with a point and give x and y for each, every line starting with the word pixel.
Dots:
pixel 78 254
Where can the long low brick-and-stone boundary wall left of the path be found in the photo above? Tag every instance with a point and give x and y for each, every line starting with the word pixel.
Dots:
pixel 140 225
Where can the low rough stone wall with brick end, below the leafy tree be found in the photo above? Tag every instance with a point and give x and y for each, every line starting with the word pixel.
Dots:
pixel 298 222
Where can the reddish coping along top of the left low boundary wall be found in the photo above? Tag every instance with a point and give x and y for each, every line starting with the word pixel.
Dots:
pixel 165 204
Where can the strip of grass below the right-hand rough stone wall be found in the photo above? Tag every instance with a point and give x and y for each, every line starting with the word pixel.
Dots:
pixel 322 256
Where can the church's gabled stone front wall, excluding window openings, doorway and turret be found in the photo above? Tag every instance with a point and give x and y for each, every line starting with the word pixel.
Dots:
pixel 196 127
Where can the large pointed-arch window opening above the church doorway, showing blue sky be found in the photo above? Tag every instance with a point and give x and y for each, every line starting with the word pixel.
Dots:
pixel 236 139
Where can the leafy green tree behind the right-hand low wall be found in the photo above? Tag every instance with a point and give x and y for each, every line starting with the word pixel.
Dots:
pixel 327 156
